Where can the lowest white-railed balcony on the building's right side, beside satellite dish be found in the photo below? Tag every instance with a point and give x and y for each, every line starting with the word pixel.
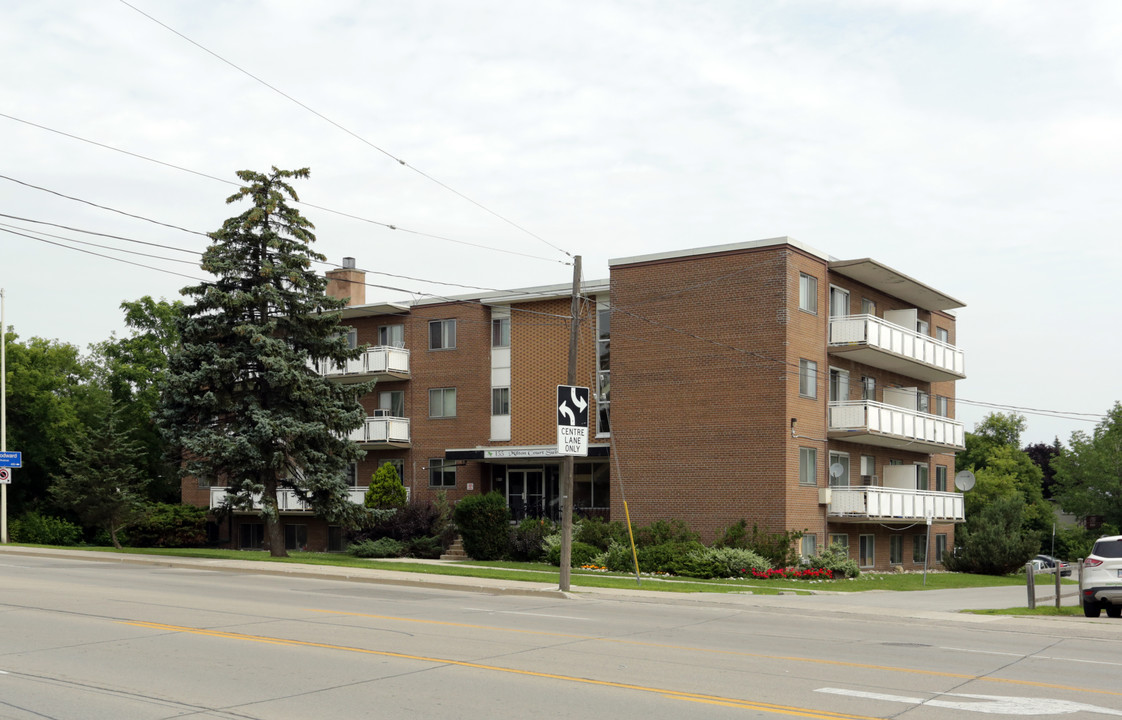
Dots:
pixel 893 506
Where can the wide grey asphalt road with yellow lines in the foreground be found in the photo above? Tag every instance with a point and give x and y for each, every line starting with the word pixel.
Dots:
pixel 82 640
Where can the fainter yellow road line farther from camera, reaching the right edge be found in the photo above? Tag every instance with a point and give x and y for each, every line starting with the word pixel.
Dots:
pixel 790 659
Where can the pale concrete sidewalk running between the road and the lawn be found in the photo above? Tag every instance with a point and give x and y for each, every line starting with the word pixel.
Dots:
pixel 931 604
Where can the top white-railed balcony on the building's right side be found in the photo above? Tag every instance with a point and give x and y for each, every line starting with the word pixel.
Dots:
pixel 882 345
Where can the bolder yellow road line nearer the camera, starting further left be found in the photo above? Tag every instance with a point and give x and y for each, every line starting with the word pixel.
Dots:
pixel 733 703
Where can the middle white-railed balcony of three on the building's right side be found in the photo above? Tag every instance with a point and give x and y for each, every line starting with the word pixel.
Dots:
pixel 891 427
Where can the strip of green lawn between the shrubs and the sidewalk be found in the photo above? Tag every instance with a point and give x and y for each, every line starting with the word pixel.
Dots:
pixel 544 574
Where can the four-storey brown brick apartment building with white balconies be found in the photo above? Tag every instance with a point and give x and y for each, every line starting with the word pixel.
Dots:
pixel 760 381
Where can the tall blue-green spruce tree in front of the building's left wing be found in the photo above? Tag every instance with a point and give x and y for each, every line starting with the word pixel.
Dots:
pixel 241 402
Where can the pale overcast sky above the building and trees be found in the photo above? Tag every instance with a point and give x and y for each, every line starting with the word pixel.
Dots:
pixel 974 146
